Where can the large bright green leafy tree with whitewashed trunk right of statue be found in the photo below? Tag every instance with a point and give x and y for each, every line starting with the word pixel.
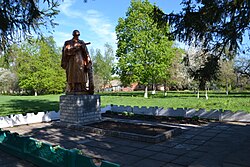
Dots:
pixel 144 52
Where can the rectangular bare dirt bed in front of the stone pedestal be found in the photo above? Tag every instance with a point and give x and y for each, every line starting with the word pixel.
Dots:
pixel 131 128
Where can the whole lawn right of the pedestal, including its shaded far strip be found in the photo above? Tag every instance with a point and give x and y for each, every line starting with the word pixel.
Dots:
pixel 235 101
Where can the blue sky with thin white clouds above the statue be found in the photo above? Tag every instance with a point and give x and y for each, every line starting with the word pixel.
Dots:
pixel 96 20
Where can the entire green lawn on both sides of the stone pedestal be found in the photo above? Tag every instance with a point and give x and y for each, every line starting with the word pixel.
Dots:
pixel 234 102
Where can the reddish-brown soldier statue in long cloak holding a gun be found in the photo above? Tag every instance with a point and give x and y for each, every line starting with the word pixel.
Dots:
pixel 77 63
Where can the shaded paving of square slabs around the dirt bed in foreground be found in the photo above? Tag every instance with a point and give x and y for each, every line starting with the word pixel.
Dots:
pixel 213 145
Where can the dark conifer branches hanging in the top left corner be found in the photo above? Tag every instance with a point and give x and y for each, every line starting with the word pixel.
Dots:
pixel 22 17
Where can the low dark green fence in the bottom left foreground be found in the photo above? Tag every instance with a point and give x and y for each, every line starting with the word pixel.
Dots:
pixel 43 154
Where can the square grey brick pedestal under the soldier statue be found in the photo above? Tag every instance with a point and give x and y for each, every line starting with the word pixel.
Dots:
pixel 79 109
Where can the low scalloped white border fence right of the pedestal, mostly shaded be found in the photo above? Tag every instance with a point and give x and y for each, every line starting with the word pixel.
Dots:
pixel 186 113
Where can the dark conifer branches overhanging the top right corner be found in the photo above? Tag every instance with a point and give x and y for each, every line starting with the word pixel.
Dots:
pixel 218 26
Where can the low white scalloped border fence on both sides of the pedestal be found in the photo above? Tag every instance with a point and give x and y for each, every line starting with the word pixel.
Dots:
pixel 29 118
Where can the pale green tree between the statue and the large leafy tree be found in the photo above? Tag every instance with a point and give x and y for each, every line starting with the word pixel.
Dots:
pixel 102 66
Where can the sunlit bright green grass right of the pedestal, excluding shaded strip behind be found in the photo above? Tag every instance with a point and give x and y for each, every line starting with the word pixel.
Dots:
pixel 233 104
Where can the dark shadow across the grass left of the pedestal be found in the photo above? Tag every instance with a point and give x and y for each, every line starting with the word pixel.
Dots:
pixel 27 106
